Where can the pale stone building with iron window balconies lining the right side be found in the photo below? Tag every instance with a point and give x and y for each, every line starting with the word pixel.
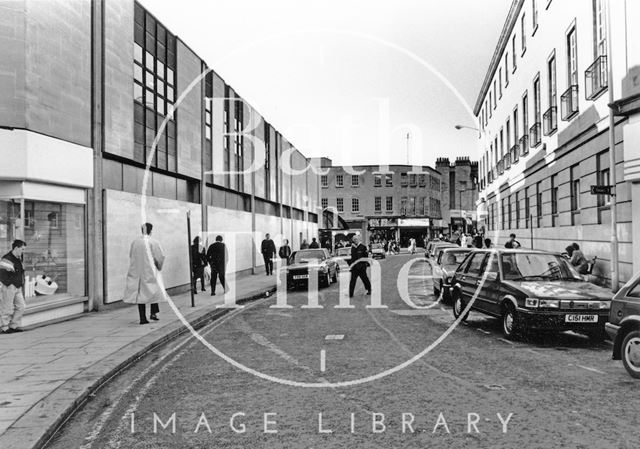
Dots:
pixel 543 122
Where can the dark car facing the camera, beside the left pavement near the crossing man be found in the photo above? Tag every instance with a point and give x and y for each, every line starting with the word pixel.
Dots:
pixel 302 262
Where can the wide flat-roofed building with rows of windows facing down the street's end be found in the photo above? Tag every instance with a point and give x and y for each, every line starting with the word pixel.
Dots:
pixel 384 202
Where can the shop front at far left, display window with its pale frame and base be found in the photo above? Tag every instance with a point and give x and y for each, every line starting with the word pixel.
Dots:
pixel 51 220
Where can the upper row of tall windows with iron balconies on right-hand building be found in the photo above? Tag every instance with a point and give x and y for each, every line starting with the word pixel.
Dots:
pixel 503 152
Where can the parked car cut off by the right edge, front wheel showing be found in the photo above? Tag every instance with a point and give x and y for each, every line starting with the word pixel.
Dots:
pixel 624 326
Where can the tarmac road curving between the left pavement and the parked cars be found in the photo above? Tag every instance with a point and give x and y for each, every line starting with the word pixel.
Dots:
pixel 474 389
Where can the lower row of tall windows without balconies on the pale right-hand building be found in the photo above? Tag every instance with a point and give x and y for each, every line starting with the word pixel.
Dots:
pixel 511 206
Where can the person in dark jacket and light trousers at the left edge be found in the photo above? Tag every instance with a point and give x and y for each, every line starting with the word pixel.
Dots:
pixel 12 302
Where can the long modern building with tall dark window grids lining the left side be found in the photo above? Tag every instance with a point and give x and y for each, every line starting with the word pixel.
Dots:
pixel 99 132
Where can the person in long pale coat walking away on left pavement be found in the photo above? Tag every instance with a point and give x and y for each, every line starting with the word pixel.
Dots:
pixel 143 285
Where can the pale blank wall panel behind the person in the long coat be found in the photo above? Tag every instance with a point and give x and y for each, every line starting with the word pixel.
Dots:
pixel 123 219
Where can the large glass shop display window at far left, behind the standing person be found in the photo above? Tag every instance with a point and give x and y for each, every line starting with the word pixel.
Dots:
pixel 54 260
